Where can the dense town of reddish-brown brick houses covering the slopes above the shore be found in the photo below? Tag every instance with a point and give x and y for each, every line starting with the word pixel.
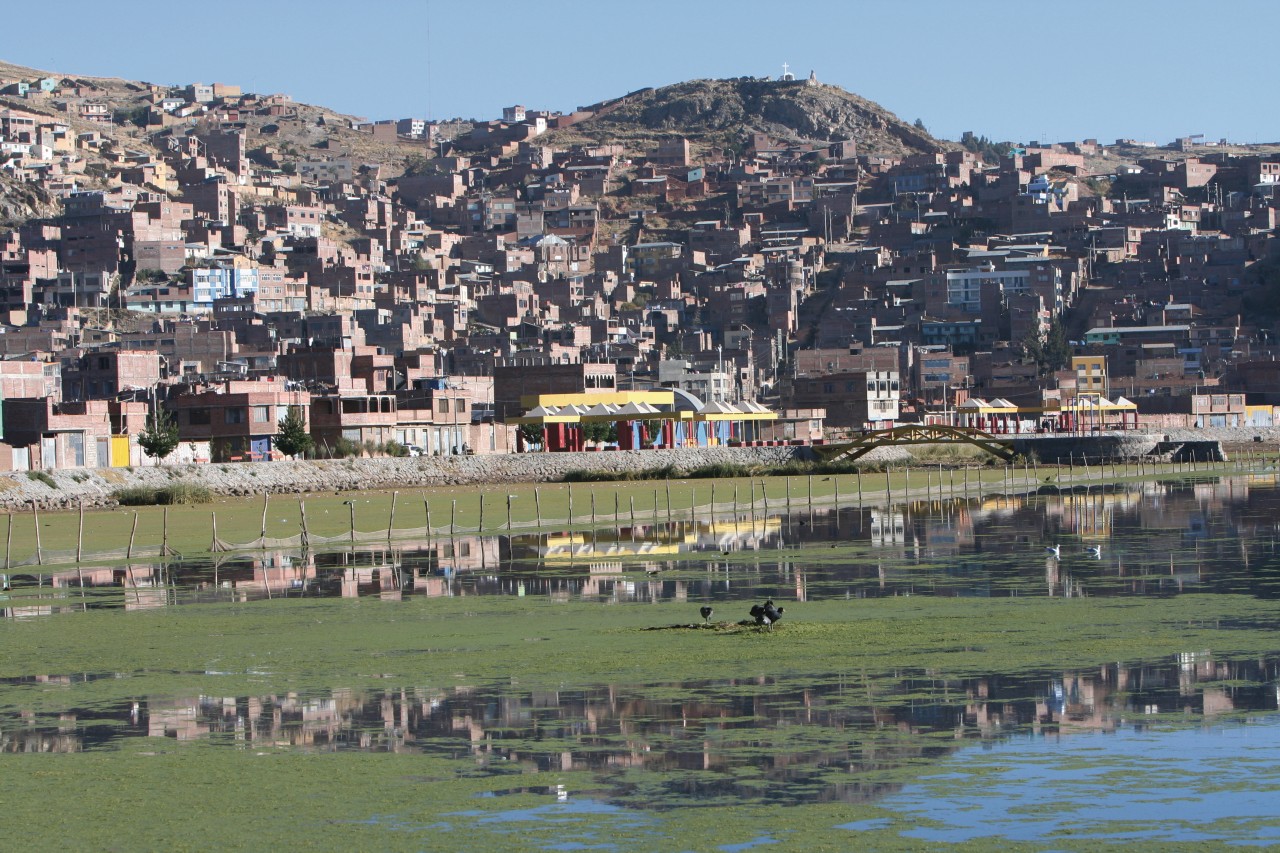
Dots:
pixel 409 288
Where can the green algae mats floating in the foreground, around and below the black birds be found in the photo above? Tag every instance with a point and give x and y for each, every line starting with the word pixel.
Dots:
pixel 218 795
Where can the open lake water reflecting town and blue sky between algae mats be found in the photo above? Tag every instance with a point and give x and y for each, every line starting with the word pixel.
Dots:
pixel 1181 749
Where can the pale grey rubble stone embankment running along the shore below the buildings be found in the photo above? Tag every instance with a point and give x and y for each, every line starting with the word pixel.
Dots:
pixel 95 487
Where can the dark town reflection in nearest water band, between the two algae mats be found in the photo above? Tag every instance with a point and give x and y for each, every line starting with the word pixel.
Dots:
pixel 780 741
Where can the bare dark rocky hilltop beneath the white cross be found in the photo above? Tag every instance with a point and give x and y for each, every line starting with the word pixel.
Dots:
pixel 723 112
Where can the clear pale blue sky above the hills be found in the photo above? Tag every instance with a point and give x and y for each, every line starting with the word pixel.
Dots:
pixel 1009 71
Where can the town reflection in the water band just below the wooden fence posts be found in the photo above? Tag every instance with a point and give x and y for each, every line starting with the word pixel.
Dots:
pixel 1141 540
